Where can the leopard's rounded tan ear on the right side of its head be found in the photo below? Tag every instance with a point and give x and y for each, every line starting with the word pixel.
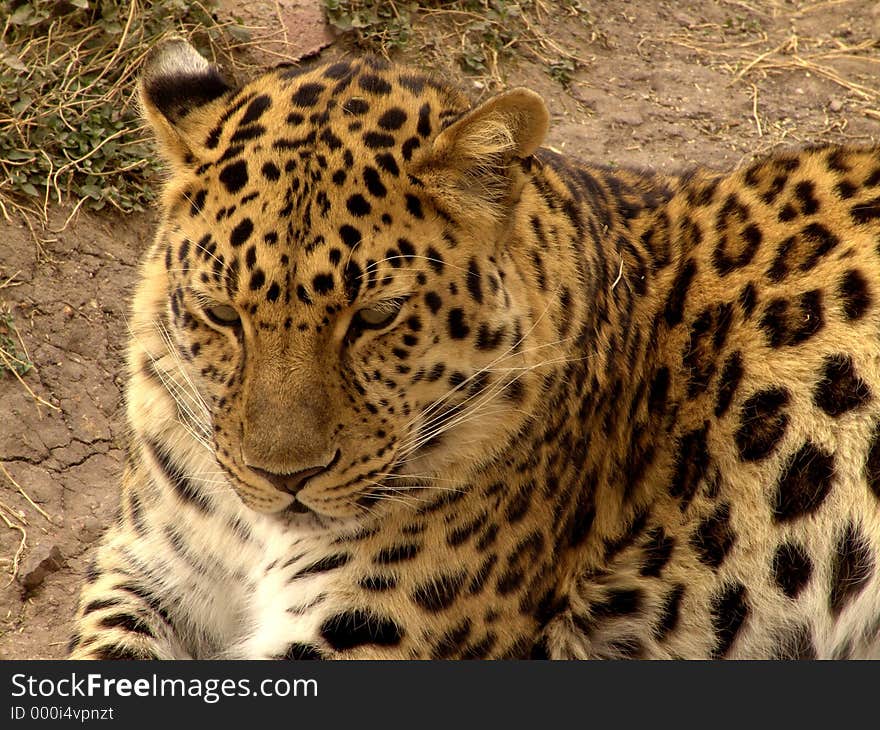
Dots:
pixel 473 165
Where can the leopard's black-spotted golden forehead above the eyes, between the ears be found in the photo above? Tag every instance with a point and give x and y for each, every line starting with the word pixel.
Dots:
pixel 303 172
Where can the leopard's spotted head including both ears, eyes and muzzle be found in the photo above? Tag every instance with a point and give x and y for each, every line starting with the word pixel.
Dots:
pixel 335 275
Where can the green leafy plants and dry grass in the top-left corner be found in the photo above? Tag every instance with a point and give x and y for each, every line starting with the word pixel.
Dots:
pixel 69 126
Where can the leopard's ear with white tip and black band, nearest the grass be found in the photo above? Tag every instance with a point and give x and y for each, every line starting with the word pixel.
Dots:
pixel 179 93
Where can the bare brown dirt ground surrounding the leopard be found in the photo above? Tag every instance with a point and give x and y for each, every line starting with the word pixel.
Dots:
pixel 664 85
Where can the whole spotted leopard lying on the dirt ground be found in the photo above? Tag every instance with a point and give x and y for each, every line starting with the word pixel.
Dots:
pixel 405 383
